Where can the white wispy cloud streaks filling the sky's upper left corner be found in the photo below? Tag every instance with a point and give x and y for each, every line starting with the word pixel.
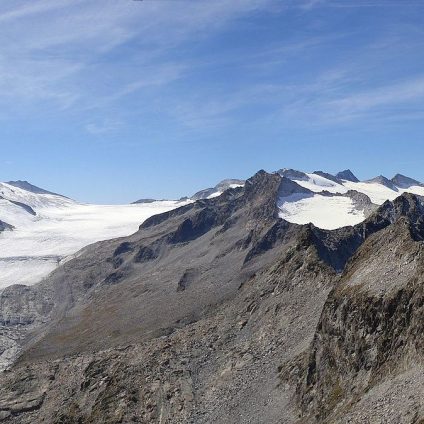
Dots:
pixel 65 46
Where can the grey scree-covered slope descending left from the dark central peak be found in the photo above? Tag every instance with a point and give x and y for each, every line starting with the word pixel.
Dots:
pixel 207 295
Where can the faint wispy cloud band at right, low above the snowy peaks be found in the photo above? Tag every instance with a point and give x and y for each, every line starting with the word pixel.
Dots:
pixel 337 102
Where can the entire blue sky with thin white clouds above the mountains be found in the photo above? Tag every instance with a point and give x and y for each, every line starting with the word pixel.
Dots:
pixel 109 101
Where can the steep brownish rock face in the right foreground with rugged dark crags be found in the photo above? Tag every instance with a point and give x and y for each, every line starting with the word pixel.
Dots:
pixel 369 338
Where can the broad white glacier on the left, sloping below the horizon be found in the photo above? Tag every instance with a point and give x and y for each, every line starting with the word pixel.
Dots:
pixel 59 229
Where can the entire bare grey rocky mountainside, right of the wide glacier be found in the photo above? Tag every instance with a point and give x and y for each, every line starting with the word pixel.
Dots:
pixel 227 310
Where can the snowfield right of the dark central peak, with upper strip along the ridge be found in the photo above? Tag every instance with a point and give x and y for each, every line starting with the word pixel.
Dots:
pixel 337 211
